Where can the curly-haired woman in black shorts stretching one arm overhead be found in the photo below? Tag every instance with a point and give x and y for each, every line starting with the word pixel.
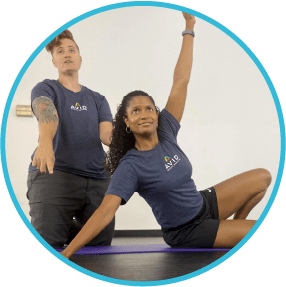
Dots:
pixel 144 156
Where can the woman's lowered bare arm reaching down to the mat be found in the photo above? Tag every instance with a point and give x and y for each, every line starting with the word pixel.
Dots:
pixel 96 223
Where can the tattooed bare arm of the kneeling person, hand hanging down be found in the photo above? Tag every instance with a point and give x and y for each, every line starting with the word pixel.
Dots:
pixel 47 115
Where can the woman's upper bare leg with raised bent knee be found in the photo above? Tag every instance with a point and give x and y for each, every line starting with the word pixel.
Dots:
pixel 240 194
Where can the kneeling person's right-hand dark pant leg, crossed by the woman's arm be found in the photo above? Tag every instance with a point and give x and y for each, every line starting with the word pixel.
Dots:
pixel 94 196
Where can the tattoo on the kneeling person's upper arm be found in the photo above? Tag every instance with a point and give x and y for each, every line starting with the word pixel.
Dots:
pixel 45 110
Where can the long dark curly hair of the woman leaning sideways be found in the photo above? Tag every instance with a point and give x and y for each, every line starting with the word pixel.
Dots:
pixel 121 140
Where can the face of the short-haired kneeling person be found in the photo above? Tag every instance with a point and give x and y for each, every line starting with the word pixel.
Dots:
pixel 66 57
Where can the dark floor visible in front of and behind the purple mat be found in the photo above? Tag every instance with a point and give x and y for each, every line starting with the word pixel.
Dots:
pixel 145 266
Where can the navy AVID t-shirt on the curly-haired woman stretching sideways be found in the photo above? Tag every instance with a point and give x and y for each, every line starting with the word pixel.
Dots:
pixel 162 176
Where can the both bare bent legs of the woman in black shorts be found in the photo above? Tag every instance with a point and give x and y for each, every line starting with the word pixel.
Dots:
pixel 238 196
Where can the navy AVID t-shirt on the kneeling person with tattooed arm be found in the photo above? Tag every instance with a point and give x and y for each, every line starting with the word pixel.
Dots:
pixel 77 145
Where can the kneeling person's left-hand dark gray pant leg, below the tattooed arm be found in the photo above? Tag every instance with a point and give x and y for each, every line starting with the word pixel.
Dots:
pixel 54 200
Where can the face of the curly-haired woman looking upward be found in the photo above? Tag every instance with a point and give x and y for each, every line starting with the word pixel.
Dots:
pixel 142 117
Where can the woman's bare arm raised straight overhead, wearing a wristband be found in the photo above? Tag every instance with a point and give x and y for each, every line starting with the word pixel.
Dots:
pixel 177 98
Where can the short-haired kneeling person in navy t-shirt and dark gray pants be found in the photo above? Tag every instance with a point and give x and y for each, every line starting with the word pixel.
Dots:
pixel 67 181
